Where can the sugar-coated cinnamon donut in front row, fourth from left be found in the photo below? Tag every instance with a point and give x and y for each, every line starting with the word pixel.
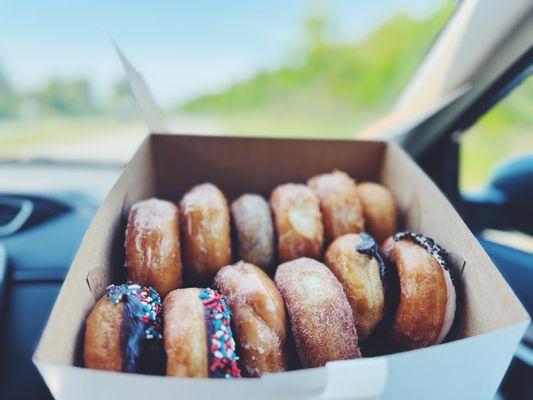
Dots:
pixel 320 316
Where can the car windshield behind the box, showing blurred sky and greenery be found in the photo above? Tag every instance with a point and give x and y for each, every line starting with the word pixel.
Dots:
pixel 299 69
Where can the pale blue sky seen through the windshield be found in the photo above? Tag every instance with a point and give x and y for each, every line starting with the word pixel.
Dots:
pixel 182 48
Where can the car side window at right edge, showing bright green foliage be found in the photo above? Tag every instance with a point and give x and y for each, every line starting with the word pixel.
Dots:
pixel 504 132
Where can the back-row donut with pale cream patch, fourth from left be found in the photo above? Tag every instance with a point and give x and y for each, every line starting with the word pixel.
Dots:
pixel 298 222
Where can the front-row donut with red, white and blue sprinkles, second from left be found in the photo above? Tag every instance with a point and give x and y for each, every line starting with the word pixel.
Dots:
pixel 197 335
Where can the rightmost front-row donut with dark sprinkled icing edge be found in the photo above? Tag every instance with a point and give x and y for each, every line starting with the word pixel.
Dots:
pixel 427 304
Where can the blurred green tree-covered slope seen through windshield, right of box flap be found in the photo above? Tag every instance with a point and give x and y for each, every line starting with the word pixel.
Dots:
pixel 363 77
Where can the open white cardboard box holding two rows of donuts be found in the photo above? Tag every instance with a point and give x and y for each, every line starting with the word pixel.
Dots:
pixel 489 322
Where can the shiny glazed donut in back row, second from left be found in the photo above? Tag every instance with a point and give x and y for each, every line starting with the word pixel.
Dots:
pixel 205 231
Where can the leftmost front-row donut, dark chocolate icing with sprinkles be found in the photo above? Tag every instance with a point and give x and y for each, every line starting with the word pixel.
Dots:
pixel 123 331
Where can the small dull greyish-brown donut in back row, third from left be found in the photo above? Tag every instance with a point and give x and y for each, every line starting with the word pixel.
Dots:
pixel 255 233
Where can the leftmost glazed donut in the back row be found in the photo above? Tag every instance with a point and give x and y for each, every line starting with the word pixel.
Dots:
pixel 153 245
